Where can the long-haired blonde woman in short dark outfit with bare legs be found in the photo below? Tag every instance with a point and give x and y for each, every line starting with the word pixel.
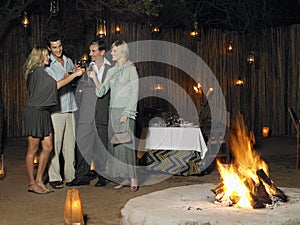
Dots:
pixel 37 125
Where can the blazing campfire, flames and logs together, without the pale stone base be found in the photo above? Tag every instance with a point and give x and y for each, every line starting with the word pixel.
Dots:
pixel 245 182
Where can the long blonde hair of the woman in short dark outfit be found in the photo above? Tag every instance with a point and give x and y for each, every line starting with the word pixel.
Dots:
pixel 35 59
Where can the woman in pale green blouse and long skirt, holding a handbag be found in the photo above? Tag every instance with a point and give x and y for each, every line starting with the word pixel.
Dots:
pixel 122 81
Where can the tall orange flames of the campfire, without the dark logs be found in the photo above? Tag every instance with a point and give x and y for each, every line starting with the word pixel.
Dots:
pixel 240 178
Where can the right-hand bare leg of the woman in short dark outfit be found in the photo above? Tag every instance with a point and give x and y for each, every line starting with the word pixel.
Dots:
pixel 47 146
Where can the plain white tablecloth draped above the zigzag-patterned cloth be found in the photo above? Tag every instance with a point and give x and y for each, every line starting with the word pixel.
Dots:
pixel 176 138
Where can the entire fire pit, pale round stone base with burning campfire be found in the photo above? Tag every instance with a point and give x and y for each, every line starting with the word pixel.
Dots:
pixel 245 195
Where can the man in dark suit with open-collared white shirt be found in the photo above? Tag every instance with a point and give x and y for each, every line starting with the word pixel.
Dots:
pixel 91 125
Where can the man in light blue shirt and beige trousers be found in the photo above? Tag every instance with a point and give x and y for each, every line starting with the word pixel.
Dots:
pixel 62 116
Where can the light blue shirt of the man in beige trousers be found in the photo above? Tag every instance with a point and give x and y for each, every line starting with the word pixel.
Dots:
pixel 67 101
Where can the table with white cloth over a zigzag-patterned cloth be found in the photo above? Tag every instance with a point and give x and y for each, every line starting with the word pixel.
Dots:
pixel 174 150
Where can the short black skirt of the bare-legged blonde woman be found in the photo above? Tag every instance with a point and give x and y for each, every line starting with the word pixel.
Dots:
pixel 36 122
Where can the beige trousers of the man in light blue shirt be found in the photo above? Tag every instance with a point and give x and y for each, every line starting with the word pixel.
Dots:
pixel 64 141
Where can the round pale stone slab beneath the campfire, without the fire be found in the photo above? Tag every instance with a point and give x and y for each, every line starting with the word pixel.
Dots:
pixel 194 205
